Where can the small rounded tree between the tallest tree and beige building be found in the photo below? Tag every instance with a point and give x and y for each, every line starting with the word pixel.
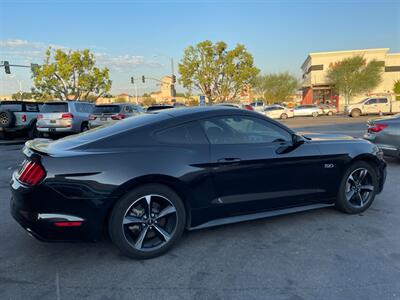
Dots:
pixel 276 87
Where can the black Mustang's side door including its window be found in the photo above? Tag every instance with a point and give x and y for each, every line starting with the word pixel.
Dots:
pixel 256 166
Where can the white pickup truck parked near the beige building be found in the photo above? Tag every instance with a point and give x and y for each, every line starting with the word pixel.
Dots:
pixel 373 106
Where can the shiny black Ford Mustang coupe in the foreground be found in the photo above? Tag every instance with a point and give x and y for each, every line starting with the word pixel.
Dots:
pixel 145 179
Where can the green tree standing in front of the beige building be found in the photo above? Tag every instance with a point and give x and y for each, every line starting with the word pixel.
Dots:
pixel 353 75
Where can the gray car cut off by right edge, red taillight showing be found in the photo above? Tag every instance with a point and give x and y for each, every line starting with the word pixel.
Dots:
pixel 385 133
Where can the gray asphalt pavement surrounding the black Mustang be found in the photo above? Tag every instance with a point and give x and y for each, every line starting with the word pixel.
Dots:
pixel 322 254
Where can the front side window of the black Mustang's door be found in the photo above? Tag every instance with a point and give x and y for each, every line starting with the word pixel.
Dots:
pixel 243 130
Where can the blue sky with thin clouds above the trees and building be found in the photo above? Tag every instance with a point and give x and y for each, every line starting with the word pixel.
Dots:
pixel 138 37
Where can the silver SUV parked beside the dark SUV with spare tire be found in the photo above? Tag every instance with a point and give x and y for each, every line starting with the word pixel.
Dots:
pixel 64 117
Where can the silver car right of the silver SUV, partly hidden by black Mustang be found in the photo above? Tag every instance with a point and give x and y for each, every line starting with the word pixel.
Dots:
pixel 103 114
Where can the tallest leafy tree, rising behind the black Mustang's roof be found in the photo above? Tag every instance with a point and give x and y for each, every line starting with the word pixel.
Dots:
pixel 220 74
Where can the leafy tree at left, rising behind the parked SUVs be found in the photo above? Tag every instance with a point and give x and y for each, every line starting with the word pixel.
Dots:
pixel 71 75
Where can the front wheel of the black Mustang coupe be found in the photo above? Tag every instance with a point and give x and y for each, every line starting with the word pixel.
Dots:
pixel 350 194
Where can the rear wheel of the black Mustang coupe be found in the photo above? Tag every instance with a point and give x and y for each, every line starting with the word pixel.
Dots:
pixel 131 226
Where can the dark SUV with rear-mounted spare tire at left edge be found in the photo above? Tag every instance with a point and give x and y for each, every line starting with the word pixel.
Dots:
pixel 18 117
